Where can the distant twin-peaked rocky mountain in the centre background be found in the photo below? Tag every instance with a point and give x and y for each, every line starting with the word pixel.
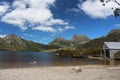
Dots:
pixel 76 39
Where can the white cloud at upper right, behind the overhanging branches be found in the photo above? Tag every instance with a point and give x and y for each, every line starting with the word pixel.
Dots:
pixel 94 8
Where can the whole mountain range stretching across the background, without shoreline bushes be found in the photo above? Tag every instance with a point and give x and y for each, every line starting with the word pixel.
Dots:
pixel 14 42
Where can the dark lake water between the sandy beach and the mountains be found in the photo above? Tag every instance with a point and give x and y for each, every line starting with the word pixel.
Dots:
pixel 16 59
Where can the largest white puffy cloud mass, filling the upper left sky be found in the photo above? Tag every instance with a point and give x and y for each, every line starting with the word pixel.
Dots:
pixel 34 14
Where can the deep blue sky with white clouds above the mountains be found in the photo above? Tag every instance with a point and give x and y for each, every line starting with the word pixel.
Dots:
pixel 44 20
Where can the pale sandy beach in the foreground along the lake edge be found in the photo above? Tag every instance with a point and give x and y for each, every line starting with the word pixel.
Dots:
pixel 62 73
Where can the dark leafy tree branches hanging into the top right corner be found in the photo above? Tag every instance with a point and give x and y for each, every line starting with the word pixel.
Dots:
pixel 115 10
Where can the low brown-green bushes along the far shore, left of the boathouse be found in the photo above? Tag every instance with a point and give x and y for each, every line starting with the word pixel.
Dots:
pixel 77 53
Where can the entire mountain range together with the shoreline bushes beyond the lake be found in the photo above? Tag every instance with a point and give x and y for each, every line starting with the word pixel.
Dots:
pixel 79 46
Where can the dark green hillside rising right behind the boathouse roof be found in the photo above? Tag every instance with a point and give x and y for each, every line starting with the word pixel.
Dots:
pixel 112 36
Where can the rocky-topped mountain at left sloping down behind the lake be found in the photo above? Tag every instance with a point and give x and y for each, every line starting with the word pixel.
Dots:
pixel 14 42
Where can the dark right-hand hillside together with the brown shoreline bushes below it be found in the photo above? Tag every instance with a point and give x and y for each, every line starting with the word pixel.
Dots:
pixel 92 47
